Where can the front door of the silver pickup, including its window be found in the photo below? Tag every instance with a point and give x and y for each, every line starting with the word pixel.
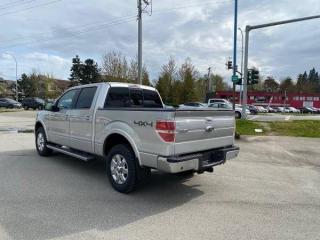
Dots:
pixel 58 122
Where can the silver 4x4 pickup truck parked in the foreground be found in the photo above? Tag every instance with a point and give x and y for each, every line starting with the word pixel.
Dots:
pixel 128 125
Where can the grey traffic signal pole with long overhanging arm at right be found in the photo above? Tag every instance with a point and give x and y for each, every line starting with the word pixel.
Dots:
pixel 246 52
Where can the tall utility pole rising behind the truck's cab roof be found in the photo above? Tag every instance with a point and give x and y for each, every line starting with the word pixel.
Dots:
pixel 140 11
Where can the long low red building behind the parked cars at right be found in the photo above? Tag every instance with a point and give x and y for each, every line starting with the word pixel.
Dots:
pixel 297 100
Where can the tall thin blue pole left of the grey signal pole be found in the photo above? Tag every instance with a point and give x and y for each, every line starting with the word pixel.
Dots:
pixel 235 50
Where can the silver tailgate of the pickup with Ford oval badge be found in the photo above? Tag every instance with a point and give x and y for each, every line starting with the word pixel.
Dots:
pixel 198 130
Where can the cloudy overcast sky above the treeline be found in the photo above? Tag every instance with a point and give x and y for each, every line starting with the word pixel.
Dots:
pixel 44 35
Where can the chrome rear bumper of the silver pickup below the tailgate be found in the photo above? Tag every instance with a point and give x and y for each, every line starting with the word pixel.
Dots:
pixel 197 161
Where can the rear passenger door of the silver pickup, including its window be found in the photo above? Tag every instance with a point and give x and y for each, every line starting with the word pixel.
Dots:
pixel 81 120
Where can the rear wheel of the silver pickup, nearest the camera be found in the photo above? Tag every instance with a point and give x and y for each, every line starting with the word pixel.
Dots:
pixel 122 168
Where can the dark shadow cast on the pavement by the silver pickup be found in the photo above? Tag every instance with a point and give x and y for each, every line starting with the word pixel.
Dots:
pixel 50 197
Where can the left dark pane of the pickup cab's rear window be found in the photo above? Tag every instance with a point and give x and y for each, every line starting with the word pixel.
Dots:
pixel 118 97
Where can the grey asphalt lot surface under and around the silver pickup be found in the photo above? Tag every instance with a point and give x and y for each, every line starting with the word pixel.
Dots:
pixel 271 191
